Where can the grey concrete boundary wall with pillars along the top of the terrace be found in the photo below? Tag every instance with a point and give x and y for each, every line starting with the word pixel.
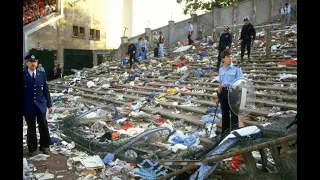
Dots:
pixel 265 10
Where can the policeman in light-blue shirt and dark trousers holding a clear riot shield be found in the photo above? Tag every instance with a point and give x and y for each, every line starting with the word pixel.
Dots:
pixel 227 74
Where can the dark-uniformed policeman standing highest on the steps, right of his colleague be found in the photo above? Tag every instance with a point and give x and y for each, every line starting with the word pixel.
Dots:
pixel 248 35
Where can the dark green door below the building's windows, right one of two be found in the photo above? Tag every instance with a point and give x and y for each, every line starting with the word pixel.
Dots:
pixel 77 59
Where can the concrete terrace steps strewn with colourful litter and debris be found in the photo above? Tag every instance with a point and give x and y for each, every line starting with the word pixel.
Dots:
pixel 177 93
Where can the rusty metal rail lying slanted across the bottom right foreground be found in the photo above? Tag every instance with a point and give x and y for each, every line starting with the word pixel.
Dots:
pixel 225 156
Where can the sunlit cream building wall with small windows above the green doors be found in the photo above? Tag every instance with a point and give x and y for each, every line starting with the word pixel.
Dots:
pixel 87 14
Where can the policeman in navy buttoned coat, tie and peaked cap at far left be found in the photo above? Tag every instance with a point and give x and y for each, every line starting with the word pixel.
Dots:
pixel 36 100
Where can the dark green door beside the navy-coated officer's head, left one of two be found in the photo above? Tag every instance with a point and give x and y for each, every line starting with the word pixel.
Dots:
pixel 46 58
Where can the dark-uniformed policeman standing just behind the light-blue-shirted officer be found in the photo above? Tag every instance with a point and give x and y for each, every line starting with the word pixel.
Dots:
pixel 224 43
